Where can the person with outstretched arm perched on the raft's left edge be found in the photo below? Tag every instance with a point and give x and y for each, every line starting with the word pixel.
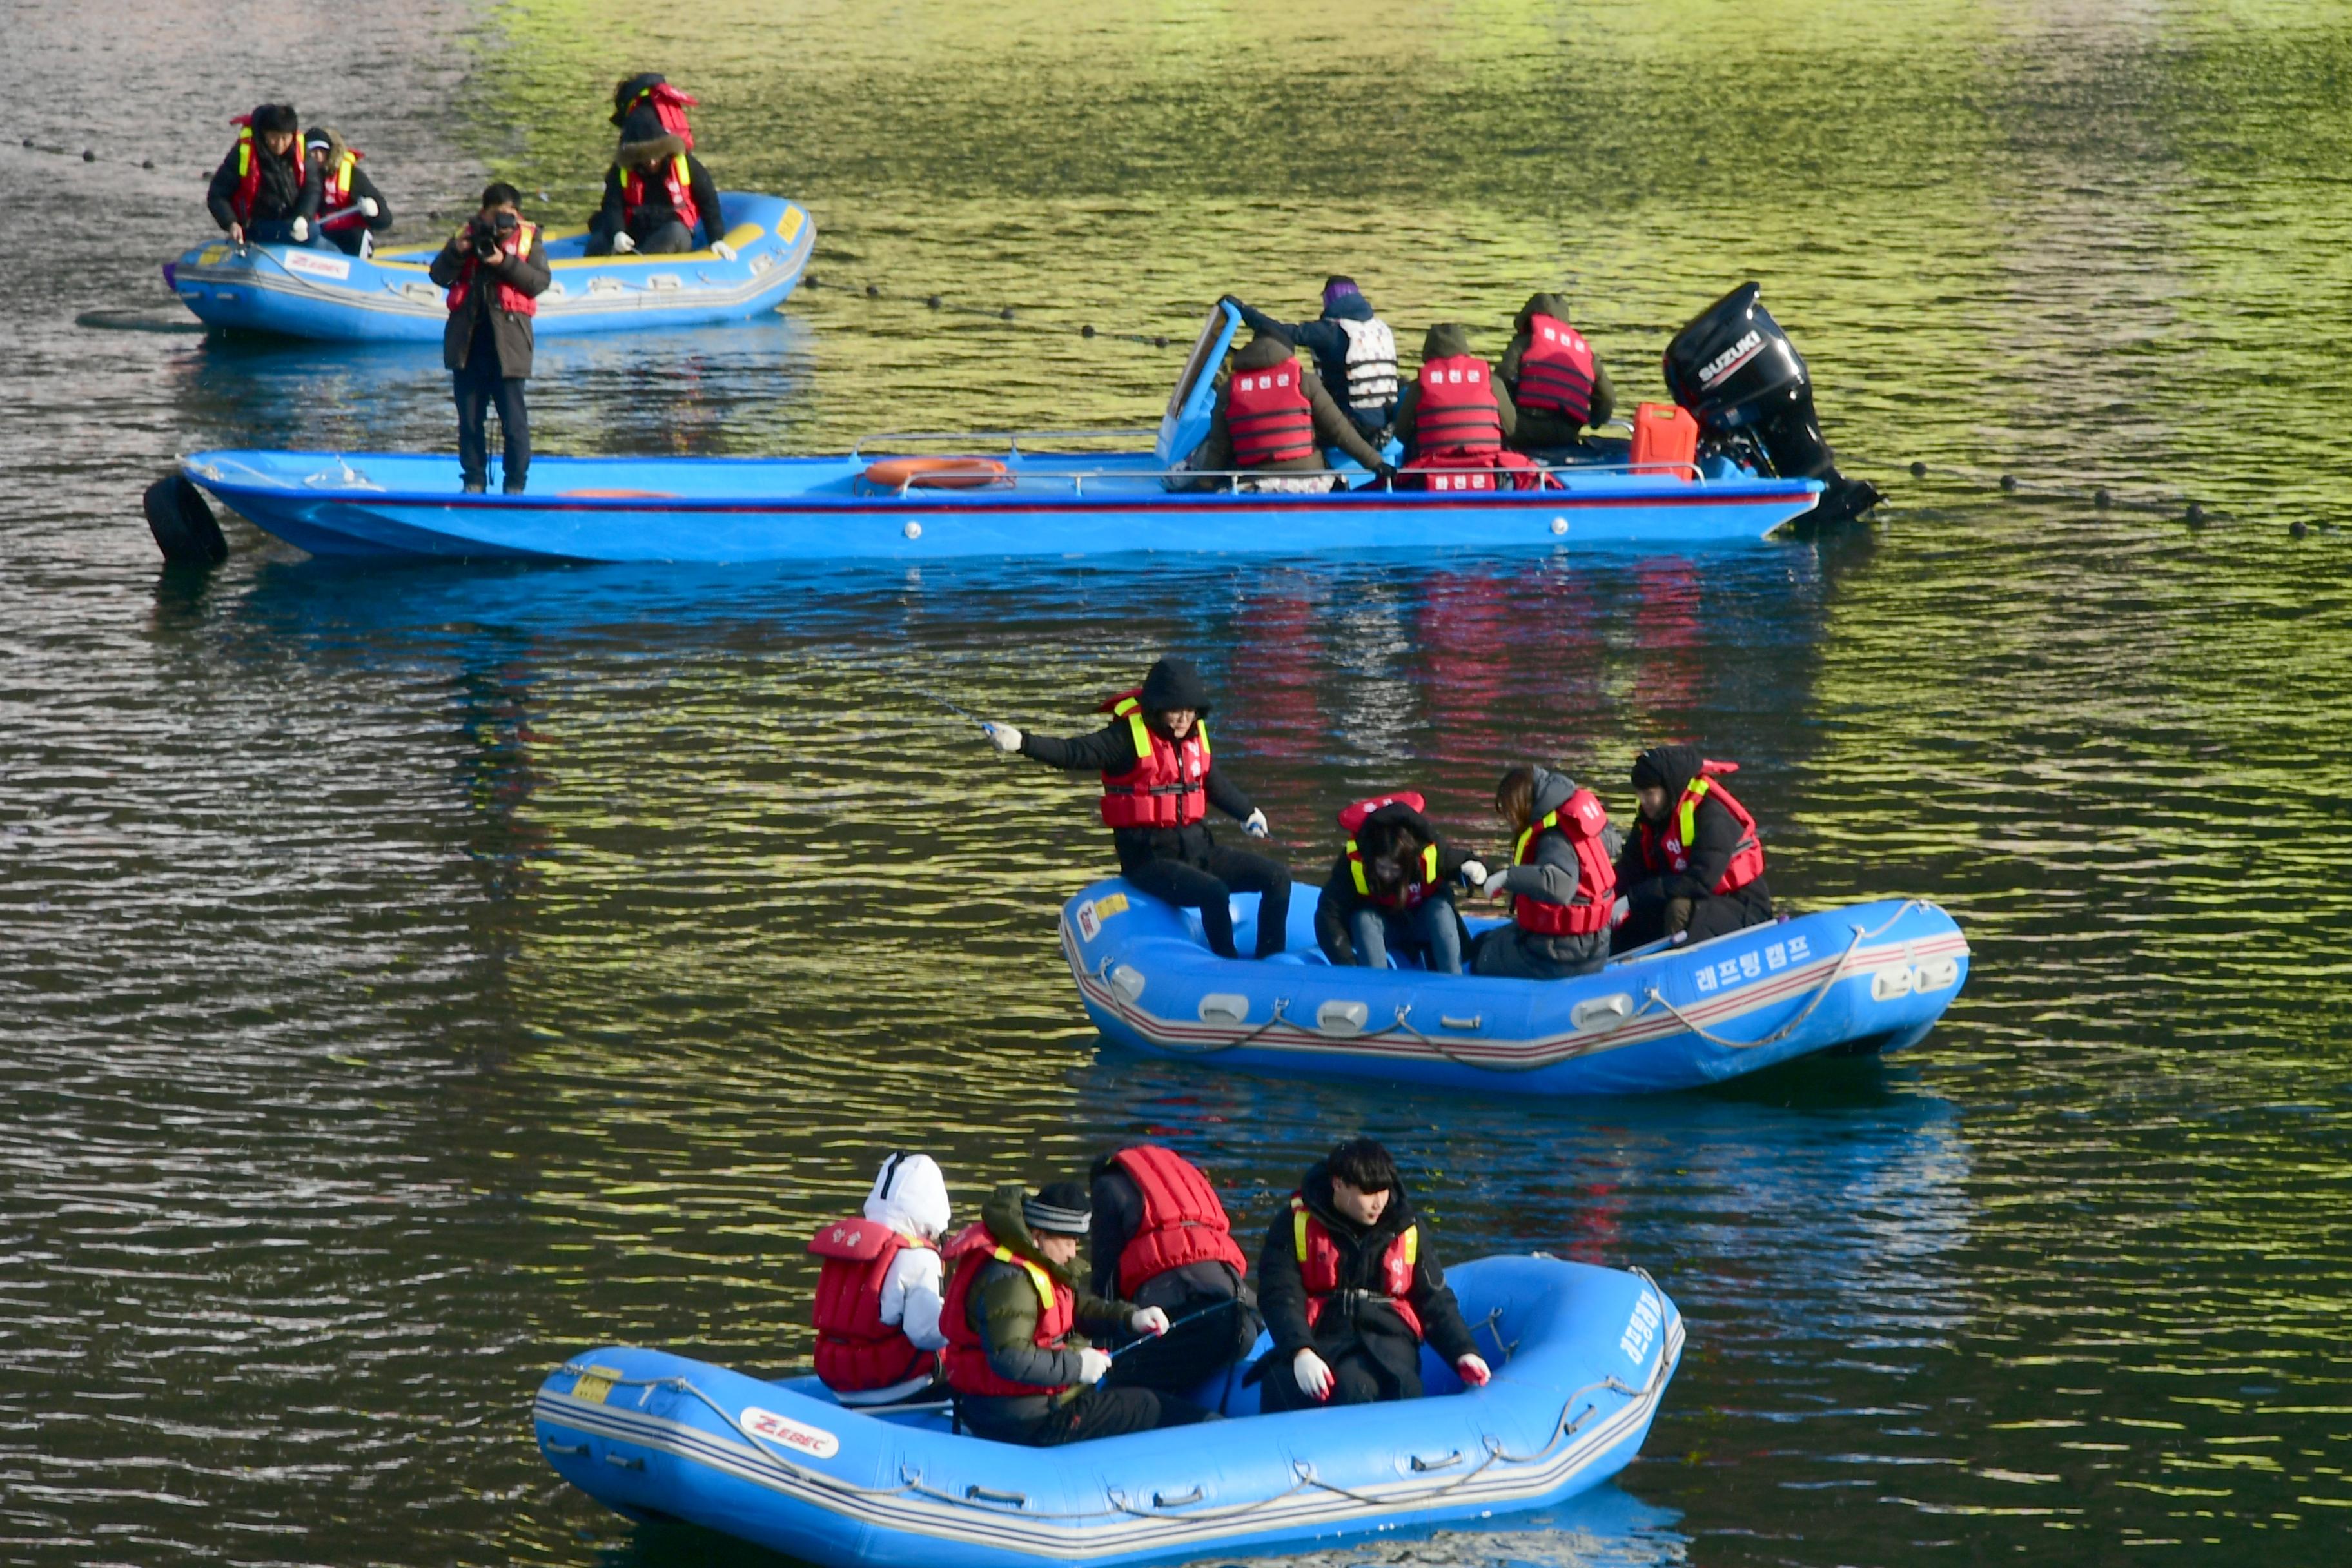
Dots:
pixel 1158 786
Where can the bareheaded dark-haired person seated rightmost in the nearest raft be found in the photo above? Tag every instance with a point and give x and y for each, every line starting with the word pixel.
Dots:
pixel 1351 1289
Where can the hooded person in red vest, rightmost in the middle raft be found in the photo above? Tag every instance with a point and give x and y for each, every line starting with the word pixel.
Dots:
pixel 1695 866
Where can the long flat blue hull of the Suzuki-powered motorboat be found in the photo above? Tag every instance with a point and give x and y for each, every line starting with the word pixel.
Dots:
pixel 1055 504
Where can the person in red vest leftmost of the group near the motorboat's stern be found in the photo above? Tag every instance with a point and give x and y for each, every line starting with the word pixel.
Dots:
pixel 1274 420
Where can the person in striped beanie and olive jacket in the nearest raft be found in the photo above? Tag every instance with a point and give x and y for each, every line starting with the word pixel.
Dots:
pixel 1015 1318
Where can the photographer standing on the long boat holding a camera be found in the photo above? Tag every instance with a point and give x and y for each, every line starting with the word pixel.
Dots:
pixel 495 269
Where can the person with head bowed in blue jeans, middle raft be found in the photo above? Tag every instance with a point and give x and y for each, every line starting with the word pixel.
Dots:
pixel 1394 890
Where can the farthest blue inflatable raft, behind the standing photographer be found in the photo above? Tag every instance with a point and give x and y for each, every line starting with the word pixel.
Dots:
pixel 319 293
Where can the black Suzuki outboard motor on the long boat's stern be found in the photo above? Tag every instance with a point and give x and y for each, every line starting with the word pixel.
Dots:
pixel 1739 375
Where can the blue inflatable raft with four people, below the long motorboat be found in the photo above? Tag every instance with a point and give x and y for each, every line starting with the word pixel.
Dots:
pixel 1855 981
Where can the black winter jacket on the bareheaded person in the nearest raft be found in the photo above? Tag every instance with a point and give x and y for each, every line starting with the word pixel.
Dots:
pixel 1372 1325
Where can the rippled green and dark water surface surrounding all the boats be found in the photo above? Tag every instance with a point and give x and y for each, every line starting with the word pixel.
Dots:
pixel 413 977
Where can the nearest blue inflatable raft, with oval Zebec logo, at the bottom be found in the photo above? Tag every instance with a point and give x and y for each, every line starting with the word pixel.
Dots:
pixel 1582 1360
